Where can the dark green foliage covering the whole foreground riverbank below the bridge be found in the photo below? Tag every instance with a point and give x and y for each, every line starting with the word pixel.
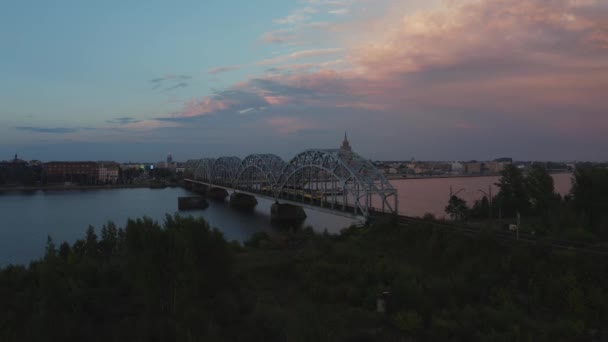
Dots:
pixel 181 281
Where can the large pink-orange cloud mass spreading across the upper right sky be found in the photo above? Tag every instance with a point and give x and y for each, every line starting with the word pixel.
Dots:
pixel 535 62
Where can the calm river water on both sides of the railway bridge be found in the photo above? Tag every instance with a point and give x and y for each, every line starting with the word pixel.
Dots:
pixel 26 219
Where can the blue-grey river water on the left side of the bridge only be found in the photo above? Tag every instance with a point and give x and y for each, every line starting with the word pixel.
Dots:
pixel 28 218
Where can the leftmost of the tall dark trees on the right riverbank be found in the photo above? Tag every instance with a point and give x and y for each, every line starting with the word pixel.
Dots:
pixel 512 197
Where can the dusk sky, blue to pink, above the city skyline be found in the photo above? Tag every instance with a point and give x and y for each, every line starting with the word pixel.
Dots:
pixel 131 80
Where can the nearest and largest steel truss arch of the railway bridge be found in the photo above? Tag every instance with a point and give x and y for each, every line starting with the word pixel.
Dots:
pixel 345 178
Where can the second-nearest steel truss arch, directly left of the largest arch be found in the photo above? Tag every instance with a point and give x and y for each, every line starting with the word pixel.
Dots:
pixel 260 172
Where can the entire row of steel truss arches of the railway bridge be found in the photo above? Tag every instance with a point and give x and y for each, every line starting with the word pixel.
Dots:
pixel 330 180
